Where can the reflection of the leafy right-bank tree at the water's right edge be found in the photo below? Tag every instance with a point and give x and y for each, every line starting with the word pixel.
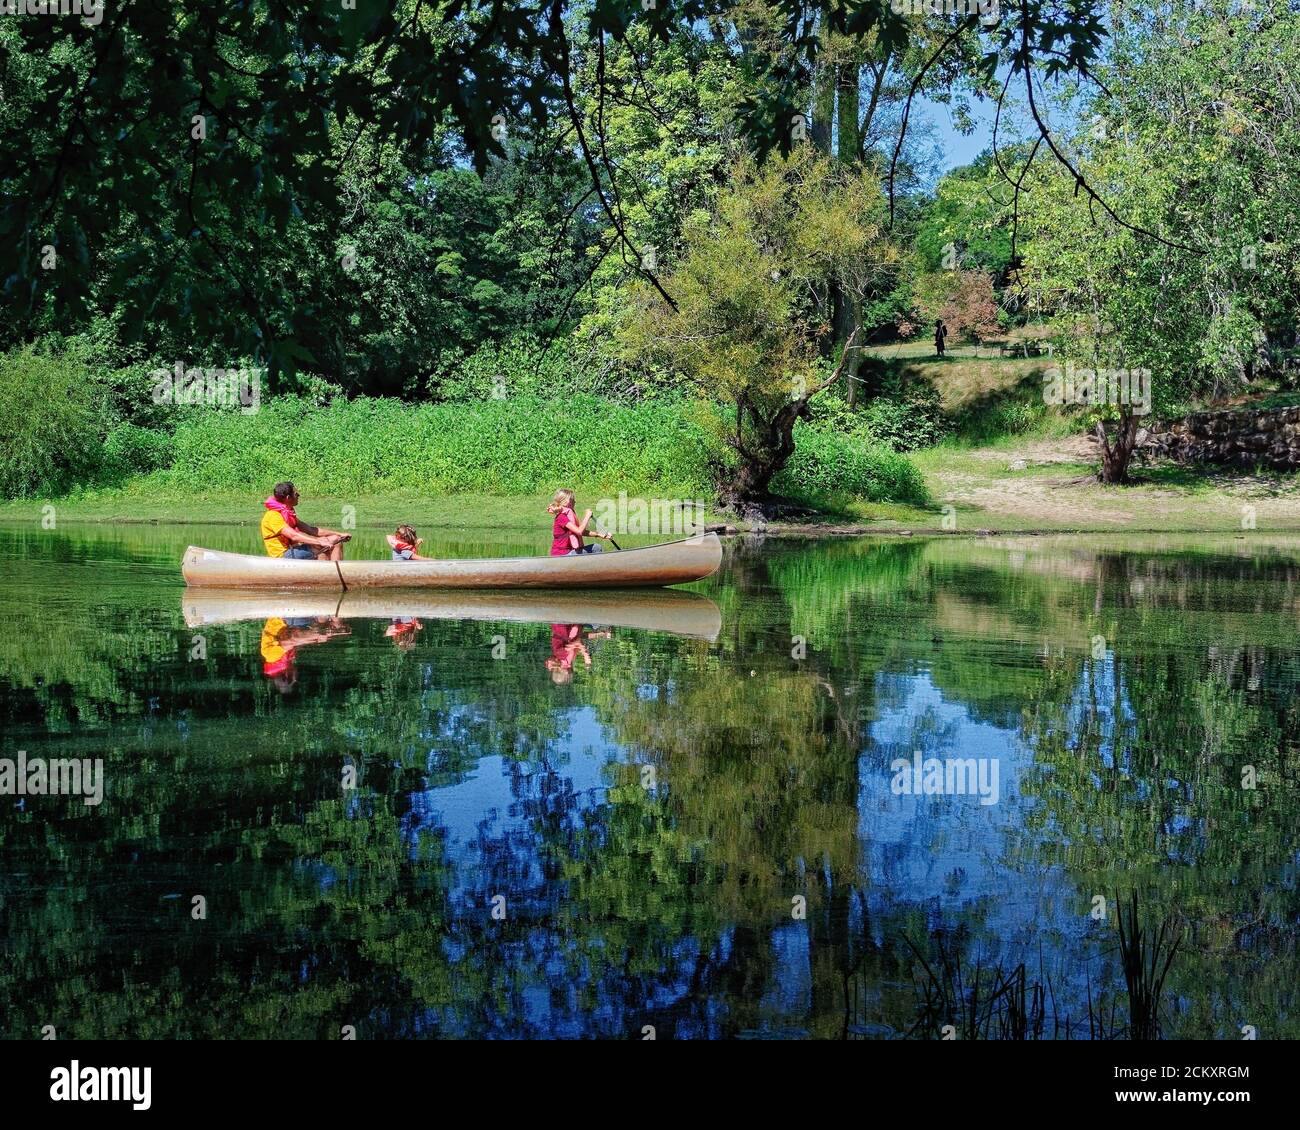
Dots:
pixel 1139 763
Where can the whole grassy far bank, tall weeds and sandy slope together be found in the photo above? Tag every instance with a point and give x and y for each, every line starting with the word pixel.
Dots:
pixel 1007 464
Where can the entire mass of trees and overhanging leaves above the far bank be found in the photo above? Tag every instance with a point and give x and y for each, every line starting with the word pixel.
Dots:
pixel 328 197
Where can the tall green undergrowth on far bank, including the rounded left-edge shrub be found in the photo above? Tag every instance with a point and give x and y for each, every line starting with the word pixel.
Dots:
pixel 67 427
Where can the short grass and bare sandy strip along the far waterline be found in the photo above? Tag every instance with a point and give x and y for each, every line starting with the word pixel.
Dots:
pixel 987 488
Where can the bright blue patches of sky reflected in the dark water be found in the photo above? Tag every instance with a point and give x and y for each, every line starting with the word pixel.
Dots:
pixel 946 854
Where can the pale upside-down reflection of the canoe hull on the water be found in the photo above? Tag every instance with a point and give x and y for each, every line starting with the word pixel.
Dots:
pixel 682 614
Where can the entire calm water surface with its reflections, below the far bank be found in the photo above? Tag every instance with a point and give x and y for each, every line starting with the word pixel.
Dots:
pixel 640 829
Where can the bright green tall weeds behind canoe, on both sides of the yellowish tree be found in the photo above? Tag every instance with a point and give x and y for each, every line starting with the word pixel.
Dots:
pixel 510 447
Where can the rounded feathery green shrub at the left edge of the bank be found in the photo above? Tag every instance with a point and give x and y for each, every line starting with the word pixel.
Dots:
pixel 50 425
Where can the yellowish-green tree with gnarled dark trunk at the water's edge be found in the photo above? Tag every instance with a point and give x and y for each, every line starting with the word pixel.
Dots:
pixel 753 301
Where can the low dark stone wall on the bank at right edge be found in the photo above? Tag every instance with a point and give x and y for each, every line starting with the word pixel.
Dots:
pixel 1240 438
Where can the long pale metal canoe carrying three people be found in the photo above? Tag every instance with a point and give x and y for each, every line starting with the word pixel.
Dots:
pixel 653 566
